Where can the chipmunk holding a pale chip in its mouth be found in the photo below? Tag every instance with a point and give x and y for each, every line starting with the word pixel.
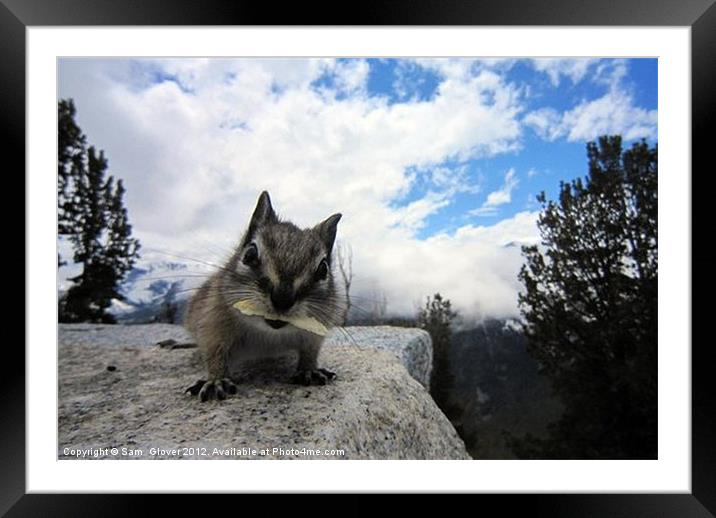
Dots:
pixel 284 273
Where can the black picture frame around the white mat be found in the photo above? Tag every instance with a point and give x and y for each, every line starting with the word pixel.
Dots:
pixel 700 15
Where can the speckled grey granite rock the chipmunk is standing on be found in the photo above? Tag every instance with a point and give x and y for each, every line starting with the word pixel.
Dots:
pixel 130 396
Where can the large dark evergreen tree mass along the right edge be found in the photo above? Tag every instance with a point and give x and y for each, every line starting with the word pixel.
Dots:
pixel 590 306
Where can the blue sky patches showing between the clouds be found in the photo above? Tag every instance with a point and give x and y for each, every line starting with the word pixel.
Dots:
pixel 539 164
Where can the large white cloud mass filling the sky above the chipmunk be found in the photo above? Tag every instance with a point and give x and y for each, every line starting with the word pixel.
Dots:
pixel 197 140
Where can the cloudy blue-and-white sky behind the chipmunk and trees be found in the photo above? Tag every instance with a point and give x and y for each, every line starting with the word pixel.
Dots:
pixel 434 163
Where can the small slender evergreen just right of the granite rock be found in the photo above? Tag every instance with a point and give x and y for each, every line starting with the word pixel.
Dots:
pixel 436 317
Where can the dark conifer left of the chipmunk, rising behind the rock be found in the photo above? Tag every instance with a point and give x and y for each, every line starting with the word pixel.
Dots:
pixel 101 237
